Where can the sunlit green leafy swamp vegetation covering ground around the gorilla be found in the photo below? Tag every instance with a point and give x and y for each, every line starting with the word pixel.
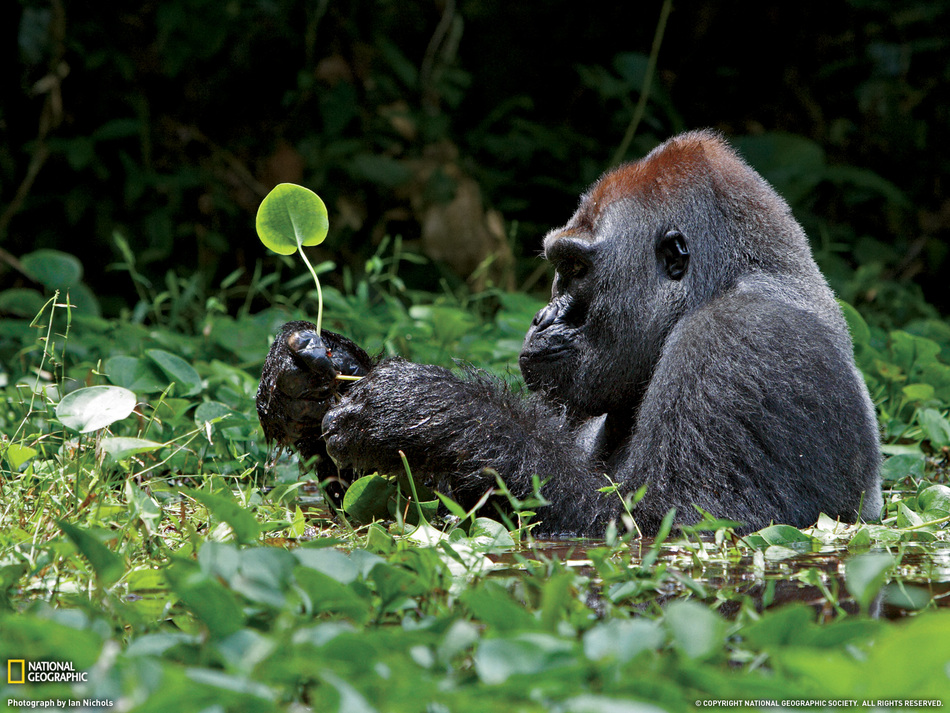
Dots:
pixel 145 541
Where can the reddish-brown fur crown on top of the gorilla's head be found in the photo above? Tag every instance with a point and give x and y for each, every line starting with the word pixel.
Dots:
pixel 696 157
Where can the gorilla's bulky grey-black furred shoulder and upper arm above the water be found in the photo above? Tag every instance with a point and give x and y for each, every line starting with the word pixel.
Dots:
pixel 754 413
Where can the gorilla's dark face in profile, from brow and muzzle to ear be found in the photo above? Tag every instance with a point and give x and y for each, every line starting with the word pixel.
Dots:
pixel 620 286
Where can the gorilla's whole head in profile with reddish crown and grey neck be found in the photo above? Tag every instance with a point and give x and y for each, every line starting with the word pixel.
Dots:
pixel 652 241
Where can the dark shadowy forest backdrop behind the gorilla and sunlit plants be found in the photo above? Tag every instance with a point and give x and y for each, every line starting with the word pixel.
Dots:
pixel 467 127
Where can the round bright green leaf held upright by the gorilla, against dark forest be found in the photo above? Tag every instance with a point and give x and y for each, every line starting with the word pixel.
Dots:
pixel 291 216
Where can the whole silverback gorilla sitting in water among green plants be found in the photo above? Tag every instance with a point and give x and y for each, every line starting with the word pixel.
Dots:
pixel 690 345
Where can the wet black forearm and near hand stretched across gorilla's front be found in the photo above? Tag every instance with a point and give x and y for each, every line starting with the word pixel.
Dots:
pixel 452 429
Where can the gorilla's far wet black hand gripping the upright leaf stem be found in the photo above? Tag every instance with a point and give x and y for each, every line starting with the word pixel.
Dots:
pixel 299 383
